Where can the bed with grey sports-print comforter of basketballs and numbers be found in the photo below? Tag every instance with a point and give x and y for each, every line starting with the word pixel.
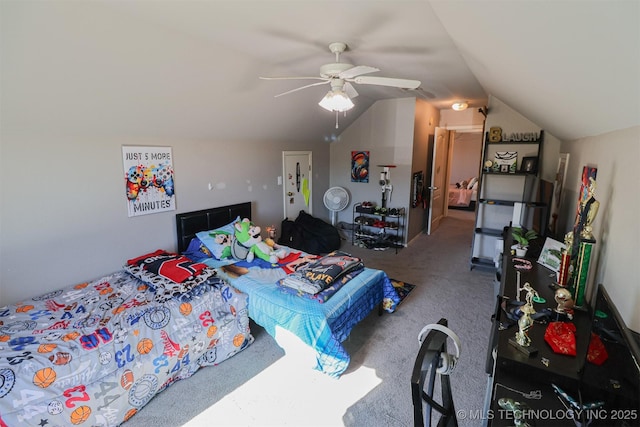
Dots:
pixel 94 353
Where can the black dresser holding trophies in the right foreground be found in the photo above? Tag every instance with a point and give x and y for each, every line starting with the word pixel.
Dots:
pixel 604 395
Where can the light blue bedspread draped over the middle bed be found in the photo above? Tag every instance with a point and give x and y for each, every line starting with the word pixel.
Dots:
pixel 322 326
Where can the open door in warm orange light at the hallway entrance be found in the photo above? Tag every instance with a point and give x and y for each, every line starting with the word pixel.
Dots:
pixel 438 185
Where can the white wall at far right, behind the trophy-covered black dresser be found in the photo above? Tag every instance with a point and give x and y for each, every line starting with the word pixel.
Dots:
pixel 617 225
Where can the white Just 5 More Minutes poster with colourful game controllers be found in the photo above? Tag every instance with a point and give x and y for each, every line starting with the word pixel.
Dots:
pixel 148 179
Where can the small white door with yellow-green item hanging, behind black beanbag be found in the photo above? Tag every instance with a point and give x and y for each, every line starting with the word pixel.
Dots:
pixel 296 166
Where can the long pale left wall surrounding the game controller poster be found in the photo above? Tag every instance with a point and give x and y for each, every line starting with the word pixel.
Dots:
pixel 67 221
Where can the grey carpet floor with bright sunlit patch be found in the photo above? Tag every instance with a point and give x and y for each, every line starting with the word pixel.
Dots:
pixel 264 386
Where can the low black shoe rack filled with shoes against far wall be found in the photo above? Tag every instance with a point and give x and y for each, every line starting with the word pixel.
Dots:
pixel 378 228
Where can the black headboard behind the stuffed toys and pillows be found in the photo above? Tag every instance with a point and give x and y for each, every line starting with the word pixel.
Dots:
pixel 189 223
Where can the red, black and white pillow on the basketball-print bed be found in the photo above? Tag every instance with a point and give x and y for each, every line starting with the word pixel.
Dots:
pixel 167 272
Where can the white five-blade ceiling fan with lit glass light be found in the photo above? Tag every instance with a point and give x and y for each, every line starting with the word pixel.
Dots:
pixel 340 76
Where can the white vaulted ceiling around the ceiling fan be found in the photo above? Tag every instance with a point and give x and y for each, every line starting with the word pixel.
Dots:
pixel 191 69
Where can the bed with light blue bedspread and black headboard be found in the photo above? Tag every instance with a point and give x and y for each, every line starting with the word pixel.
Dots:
pixel 321 326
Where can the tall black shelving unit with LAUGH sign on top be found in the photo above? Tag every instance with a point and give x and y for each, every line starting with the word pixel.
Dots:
pixel 498 193
